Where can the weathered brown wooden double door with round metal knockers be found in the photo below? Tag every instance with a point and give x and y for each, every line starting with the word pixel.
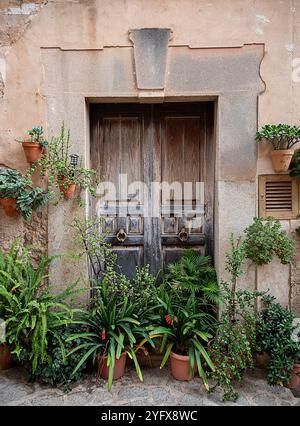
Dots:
pixel 156 163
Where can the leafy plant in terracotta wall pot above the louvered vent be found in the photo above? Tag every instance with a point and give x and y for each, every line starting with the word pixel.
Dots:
pixel 282 138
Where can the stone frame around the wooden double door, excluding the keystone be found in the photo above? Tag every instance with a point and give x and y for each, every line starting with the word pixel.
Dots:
pixel 228 76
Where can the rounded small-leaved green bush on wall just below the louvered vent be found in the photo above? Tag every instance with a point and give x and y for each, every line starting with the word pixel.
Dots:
pixel 265 239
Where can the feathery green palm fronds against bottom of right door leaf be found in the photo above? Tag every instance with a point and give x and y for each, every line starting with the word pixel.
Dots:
pixel 195 273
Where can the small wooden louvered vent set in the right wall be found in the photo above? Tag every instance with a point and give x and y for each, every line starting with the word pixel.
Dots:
pixel 278 197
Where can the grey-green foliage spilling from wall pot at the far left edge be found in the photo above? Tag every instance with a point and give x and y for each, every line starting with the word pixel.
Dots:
pixel 14 185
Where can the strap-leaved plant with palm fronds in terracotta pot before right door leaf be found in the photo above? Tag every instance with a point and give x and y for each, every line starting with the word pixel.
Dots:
pixel 187 299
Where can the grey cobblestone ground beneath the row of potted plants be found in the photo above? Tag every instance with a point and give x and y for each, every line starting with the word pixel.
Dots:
pixel 158 388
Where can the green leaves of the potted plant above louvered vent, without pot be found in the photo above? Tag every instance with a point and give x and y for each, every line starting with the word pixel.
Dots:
pixel 281 136
